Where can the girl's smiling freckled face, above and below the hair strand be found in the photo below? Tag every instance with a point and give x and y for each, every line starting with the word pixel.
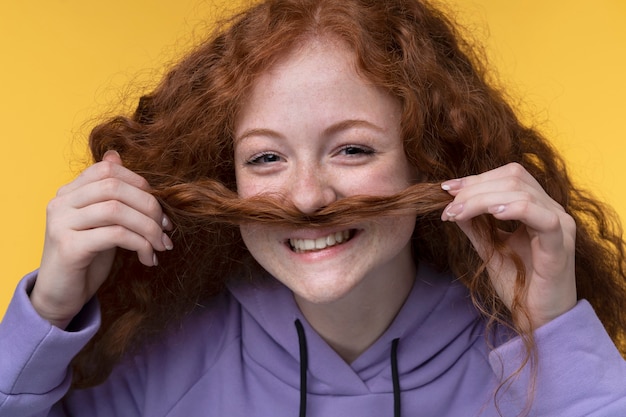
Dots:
pixel 315 131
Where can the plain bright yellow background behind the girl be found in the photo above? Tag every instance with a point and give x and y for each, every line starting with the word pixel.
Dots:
pixel 64 62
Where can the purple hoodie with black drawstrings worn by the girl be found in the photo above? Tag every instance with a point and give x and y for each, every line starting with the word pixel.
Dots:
pixel 245 355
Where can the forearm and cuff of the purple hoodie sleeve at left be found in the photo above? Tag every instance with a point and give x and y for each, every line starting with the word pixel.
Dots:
pixel 35 356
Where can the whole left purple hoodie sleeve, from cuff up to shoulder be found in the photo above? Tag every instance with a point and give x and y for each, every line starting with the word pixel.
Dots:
pixel 35 356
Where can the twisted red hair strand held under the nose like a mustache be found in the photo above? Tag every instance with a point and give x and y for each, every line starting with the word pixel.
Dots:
pixel 207 202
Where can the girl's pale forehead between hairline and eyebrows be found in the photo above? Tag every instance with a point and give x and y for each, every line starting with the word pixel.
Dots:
pixel 316 82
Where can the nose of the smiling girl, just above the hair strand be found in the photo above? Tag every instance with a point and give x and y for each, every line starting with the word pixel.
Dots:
pixel 311 190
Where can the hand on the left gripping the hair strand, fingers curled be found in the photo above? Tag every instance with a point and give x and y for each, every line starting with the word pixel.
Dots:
pixel 106 207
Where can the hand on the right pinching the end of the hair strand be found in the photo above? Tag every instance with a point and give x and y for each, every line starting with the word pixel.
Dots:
pixel 544 241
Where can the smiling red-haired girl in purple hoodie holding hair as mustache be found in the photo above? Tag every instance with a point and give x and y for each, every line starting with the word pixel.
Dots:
pixel 322 210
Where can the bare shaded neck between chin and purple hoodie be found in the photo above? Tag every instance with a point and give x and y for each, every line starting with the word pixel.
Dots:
pixel 353 323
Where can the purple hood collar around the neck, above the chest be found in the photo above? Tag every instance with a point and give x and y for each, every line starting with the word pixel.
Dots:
pixel 436 325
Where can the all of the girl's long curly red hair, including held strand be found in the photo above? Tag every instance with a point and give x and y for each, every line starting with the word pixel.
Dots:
pixel 453 124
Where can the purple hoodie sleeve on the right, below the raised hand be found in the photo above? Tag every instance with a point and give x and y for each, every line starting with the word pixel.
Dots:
pixel 580 372
